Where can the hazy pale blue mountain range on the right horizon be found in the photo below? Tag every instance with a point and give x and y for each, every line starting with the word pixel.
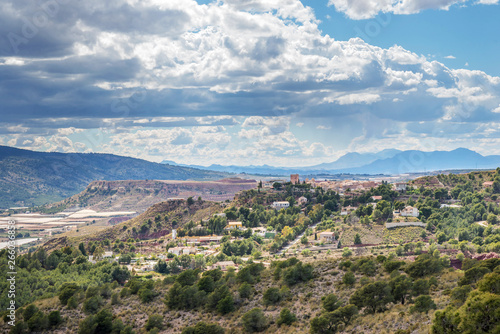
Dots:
pixel 384 162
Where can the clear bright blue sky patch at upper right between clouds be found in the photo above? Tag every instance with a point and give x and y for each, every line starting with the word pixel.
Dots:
pixel 467 33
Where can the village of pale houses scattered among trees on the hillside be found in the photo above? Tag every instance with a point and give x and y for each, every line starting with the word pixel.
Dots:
pixel 207 249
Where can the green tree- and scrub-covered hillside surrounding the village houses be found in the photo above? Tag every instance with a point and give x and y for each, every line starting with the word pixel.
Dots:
pixel 443 278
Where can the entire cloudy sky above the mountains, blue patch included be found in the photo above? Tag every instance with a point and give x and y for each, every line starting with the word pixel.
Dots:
pixel 249 82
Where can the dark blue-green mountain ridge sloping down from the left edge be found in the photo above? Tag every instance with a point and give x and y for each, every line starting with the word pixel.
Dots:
pixel 28 177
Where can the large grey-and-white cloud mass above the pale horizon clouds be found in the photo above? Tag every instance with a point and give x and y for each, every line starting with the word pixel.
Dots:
pixel 96 64
